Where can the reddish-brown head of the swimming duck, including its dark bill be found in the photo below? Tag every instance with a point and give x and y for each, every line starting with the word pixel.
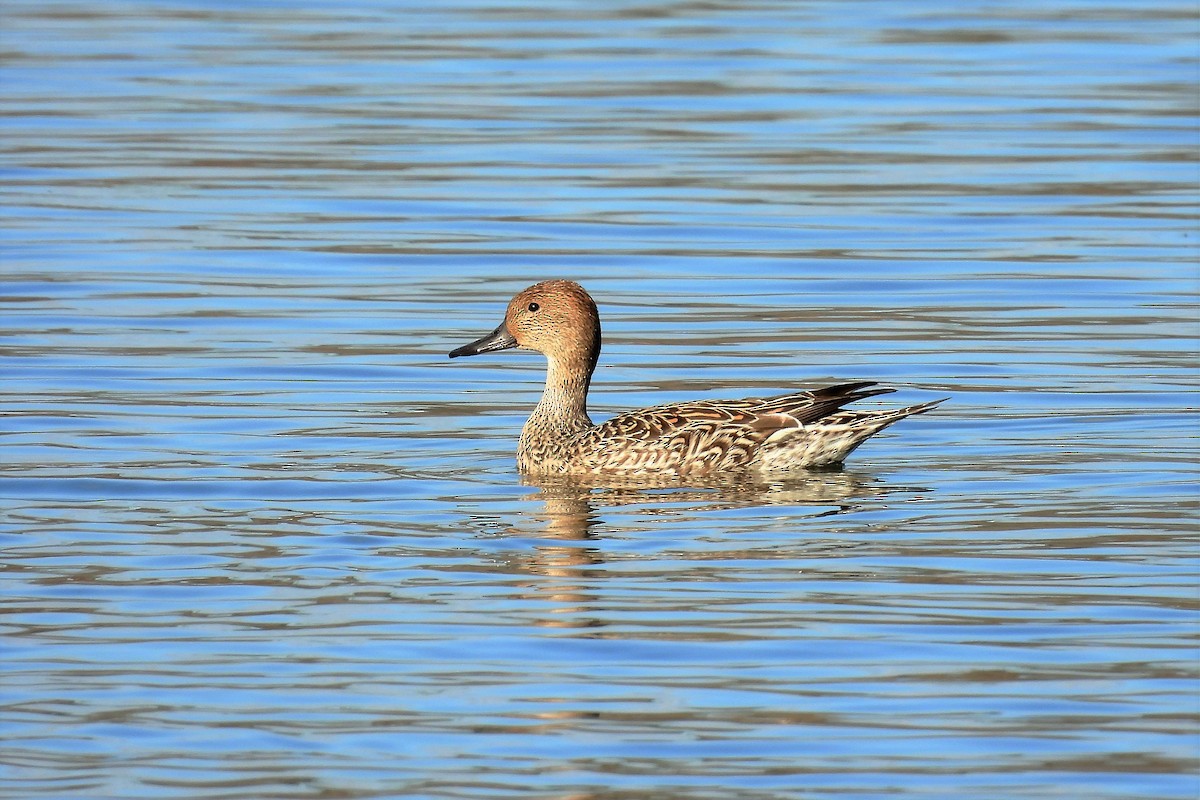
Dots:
pixel 557 318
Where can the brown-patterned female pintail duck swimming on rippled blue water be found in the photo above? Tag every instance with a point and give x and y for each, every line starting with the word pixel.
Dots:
pixel 797 431
